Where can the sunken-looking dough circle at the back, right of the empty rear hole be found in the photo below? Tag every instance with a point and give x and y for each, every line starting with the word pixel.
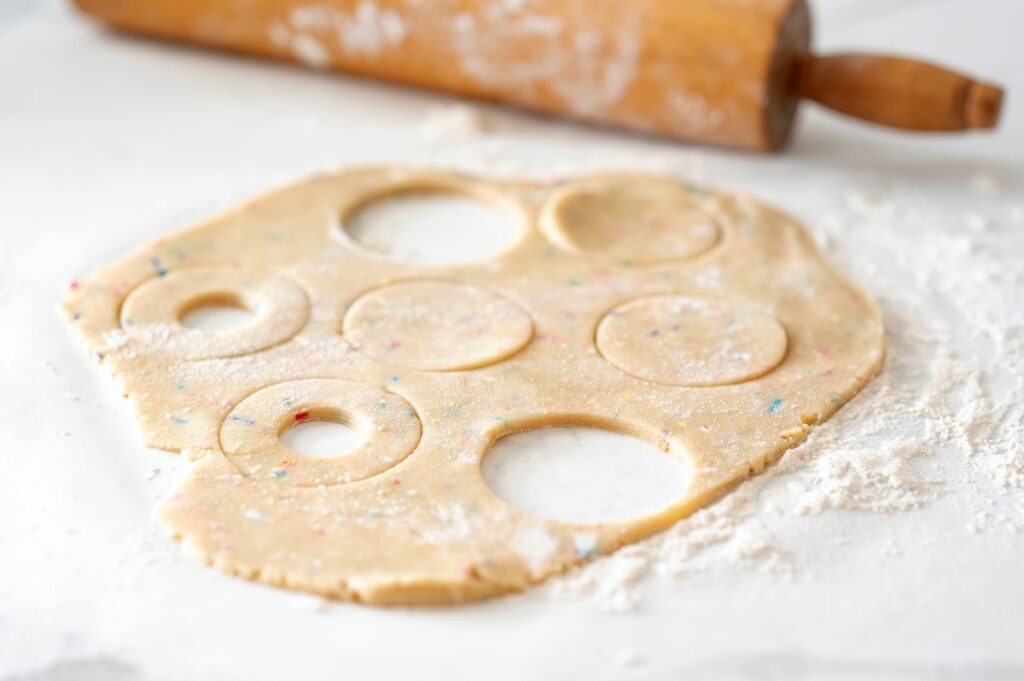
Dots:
pixel 631 221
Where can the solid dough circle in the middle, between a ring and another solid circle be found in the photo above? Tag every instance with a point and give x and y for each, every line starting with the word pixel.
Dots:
pixel 437 326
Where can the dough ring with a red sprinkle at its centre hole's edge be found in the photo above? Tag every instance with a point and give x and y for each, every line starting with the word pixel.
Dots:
pixel 250 436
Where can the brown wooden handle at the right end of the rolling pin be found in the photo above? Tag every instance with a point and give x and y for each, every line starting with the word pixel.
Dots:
pixel 900 93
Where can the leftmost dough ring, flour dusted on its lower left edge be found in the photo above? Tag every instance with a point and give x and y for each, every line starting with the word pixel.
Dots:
pixel 157 307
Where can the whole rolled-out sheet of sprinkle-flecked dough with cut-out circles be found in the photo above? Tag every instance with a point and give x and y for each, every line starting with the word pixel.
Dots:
pixel 706 324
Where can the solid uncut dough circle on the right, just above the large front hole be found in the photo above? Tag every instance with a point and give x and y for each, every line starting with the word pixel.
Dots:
pixel 691 342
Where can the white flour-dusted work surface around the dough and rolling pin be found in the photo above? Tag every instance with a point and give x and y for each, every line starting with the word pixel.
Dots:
pixel 108 142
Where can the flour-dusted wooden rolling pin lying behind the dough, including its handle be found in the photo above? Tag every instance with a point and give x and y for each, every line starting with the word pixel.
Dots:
pixel 717 72
